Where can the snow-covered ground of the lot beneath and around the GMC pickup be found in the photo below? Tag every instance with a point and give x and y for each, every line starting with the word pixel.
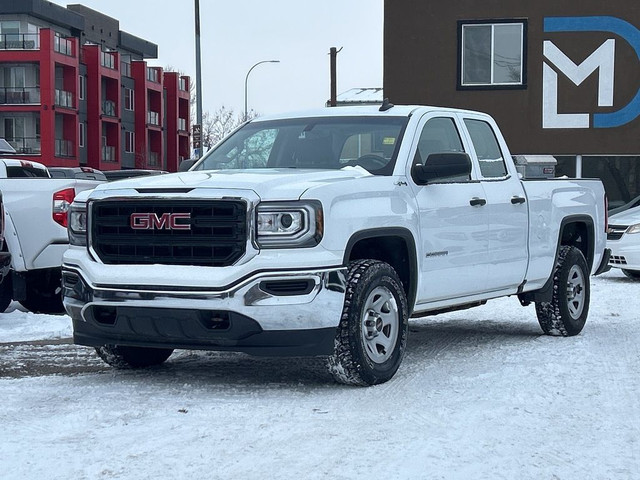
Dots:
pixel 482 394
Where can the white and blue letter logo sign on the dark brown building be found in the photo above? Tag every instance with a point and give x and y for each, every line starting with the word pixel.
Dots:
pixel 602 60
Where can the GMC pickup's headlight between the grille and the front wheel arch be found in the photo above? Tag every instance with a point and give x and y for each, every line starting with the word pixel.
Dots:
pixel 289 224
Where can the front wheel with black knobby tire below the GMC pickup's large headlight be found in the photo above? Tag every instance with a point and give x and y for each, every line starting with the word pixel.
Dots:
pixel 372 335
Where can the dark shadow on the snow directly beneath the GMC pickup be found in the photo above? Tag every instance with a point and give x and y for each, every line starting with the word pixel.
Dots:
pixel 236 371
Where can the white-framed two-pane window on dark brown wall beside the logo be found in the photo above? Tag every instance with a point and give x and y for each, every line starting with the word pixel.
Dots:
pixel 492 54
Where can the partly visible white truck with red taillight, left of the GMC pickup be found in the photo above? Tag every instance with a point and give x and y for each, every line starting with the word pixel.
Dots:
pixel 35 216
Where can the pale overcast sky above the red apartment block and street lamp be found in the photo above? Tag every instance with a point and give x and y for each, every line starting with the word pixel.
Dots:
pixel 237 34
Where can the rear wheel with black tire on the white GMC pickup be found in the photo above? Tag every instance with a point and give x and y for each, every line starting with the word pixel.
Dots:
pixel 567 312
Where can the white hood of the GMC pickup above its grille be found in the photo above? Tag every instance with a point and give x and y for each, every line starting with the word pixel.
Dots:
pixel 268 184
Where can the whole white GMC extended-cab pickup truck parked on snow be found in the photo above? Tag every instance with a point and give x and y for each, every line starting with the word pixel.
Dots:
pixel 321 234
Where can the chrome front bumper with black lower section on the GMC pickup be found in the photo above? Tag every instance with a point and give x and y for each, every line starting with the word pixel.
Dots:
pixel 292 313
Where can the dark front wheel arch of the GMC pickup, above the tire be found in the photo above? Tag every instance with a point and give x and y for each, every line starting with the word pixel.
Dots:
pixel 395 246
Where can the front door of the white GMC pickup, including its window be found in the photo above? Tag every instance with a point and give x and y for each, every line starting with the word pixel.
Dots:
pixel 453 221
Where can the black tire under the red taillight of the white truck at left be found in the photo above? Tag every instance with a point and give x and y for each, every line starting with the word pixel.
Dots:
pixel 44 292
